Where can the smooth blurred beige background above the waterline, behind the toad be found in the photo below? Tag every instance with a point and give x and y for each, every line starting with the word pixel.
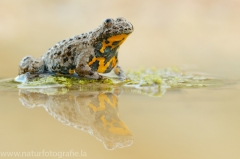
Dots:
pixel 202 34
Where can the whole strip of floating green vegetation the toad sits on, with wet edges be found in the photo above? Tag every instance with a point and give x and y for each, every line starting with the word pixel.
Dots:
pixel 153 82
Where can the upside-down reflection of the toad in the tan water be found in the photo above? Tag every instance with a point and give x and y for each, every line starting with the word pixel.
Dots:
pixel 94 112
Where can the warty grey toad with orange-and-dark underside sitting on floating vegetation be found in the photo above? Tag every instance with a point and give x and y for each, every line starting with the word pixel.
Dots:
pixel 86 54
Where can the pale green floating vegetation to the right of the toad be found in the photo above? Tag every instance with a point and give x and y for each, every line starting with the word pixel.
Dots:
pixel 172 78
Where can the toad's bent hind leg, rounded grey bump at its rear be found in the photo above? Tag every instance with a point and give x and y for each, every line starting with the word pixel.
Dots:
pixel 31 65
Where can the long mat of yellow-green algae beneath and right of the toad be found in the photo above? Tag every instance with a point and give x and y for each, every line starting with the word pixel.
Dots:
pixel 170 77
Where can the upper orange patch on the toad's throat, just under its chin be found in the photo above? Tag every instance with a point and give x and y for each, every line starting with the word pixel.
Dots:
pixel 113 41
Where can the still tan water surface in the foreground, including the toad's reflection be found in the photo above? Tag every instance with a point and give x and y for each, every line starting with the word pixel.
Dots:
pixel 183 123
